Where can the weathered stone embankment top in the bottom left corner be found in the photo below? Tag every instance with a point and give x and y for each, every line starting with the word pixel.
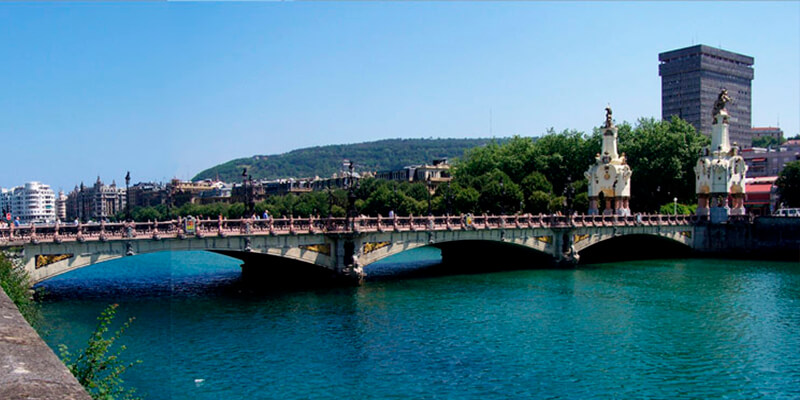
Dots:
pixel 28 367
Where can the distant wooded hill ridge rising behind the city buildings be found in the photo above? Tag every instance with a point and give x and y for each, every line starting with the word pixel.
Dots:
pixel 323 161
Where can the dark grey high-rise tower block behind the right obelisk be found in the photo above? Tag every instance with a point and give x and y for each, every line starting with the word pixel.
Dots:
pixel 691 79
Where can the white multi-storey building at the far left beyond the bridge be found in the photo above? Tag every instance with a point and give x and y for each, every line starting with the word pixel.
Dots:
pixel 33 202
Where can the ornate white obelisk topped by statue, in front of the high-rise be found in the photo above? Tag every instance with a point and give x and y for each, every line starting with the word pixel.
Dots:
pixel 720 171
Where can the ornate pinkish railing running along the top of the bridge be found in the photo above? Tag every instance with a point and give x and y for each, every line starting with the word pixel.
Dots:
pixel 157 230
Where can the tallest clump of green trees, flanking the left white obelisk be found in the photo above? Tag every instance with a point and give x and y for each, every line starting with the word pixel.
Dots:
pixel 662 155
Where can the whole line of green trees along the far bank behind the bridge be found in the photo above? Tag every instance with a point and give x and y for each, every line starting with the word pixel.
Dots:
pixel 523 174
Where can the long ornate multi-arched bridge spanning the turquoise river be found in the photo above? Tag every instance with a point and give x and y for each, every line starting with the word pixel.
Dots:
pixel 339 248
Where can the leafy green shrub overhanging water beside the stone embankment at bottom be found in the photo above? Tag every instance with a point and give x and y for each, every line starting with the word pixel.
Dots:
pixel 96 367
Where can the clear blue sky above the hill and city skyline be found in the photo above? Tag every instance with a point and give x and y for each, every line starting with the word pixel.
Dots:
pixel 165 90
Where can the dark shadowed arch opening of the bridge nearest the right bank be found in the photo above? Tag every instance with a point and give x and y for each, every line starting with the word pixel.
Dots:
pixel 634 247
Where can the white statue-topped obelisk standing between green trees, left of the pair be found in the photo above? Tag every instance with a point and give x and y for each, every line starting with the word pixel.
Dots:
pixel 610 176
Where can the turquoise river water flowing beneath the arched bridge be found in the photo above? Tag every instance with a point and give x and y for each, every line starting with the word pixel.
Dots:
pixel 648 329
